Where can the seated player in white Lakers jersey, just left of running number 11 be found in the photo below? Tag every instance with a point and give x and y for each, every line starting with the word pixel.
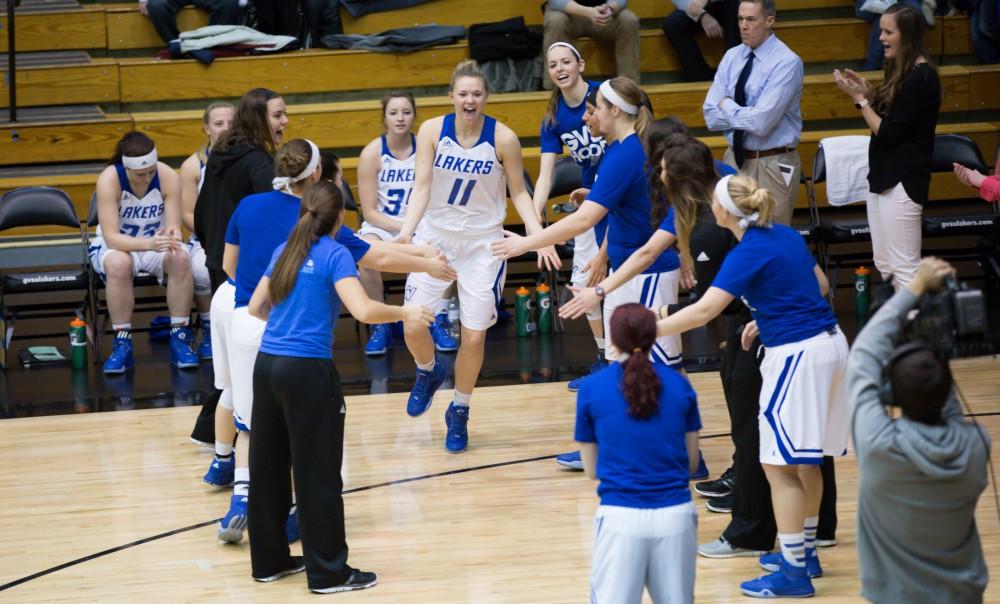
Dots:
pixel 385 180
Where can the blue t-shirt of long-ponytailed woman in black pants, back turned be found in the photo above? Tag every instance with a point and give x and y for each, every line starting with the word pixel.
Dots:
pixel 302 324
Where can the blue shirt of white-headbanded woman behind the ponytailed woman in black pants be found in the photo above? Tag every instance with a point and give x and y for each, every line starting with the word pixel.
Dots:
pixel 262 222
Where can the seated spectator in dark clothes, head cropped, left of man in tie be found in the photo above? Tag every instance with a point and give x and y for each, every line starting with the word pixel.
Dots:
pixel 717 18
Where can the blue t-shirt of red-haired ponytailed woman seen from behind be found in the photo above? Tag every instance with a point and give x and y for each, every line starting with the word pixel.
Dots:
pixel 640 463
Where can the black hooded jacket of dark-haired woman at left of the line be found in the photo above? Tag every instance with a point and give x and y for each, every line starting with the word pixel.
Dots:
pixel 230 176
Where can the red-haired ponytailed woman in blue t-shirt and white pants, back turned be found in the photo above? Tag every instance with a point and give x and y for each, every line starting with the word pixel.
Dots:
pixel 637 423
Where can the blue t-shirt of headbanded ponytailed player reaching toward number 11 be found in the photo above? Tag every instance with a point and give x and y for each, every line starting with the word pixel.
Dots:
pixel 622 187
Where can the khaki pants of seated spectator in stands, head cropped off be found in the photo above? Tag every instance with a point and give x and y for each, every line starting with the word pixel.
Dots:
pixel 623 30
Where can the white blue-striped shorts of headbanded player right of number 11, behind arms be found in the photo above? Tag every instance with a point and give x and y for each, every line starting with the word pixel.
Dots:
pixel 652 291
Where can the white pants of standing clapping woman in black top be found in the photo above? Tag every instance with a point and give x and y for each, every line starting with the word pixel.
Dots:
pixel 896 230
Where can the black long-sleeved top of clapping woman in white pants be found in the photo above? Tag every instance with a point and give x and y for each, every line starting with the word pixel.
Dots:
pixel 901 151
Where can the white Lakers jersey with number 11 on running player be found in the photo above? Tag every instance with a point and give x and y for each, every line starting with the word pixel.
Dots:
pixel 469 188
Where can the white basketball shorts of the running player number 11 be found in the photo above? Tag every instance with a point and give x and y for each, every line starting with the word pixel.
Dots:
pixel 481 277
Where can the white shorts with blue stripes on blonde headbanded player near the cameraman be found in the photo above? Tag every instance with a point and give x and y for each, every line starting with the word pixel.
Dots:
pixel 804 412
